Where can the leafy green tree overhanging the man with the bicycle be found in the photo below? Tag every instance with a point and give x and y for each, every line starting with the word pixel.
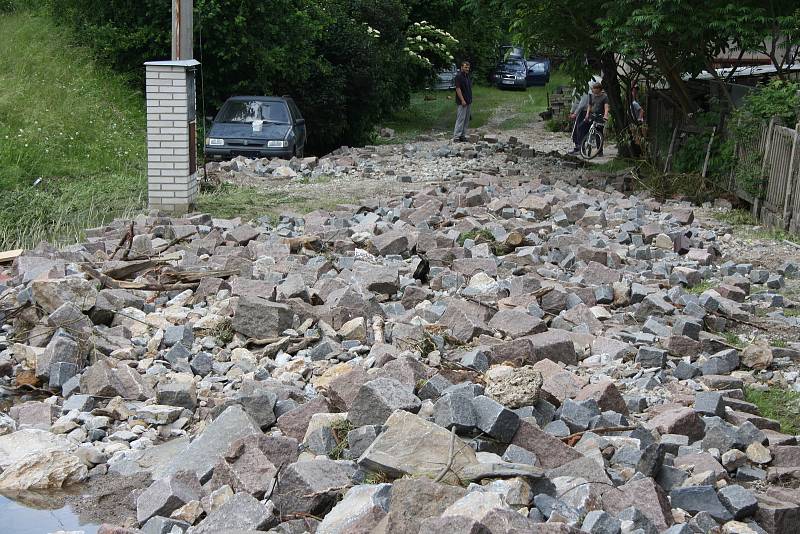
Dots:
pixel 664 42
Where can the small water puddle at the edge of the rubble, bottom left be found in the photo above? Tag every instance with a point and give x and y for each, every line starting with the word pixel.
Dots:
pixel 40 514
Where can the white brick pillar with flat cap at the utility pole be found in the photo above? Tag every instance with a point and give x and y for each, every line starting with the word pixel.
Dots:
pixel 171 142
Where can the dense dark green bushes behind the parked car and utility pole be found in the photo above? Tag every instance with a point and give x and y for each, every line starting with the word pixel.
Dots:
pixel 343 76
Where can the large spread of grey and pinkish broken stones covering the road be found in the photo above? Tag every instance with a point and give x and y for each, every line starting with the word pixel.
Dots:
pixel 492 355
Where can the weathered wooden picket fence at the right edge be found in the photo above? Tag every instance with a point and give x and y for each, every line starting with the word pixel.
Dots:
pixel 778 154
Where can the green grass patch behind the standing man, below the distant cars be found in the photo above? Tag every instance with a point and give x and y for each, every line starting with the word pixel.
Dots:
pixel 432 112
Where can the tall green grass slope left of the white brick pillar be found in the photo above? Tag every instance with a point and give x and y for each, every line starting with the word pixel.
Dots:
pixel 70 123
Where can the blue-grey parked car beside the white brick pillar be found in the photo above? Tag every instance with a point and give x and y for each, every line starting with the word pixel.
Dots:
pixel 257 127
